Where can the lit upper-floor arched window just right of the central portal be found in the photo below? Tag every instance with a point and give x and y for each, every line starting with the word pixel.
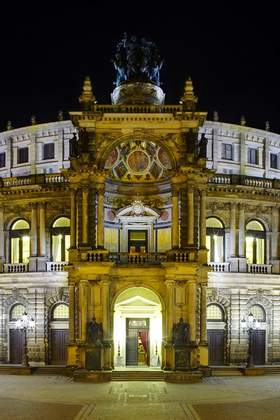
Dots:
pixel 215 238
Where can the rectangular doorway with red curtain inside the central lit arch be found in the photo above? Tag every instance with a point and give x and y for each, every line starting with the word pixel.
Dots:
pixel 137 342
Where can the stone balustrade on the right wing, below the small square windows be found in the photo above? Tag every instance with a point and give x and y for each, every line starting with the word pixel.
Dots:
pixel 250 181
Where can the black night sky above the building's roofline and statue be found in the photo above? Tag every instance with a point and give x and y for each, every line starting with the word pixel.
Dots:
pixel 230 50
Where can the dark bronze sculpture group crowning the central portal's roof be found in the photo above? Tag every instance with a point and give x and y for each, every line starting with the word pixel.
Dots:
pixel 137 60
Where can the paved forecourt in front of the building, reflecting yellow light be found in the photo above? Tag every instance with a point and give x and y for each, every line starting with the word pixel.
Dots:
pixel 57 397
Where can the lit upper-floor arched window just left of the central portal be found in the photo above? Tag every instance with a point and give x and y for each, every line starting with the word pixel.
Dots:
pixel 60 232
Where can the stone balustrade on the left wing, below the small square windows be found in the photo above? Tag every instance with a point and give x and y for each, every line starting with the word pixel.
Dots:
pixel 32 180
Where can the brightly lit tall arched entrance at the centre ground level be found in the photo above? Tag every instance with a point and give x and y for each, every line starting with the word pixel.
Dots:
pixel 137 328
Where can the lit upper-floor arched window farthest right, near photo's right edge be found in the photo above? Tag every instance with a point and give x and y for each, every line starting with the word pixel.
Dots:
pixel 255 242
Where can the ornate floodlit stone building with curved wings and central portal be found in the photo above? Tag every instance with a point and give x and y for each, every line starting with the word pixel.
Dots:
pixel 126 215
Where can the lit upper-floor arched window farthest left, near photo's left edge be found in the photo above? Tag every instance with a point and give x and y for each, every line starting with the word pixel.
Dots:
pixel 20 241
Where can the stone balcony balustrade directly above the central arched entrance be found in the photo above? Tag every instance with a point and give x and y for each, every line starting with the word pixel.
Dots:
pixel 137 257
